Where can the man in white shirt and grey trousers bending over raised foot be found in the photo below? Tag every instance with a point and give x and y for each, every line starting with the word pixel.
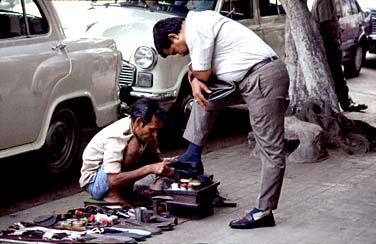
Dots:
pixel 227 50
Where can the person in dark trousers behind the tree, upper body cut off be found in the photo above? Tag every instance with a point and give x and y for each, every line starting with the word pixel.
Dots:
pixel 325 14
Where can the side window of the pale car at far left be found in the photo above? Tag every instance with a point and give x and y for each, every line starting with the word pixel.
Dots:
pixel 12 19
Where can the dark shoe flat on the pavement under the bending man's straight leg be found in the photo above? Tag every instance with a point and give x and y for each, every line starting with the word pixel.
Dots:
pixel 254 219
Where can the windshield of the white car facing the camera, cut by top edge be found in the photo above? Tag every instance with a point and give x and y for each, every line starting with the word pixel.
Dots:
pixel 179 8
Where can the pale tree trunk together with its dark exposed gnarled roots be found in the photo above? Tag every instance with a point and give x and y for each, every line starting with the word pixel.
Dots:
pixel 312 94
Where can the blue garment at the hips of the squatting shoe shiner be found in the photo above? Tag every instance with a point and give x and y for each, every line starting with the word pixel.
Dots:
pixel 98 184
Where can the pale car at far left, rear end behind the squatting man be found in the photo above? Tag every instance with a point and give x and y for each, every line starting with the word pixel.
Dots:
pixel 51 87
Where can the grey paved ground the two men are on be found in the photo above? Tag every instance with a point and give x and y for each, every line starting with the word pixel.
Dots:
pixel 331 202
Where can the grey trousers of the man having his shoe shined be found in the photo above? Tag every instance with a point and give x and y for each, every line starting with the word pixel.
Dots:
pixel 264 92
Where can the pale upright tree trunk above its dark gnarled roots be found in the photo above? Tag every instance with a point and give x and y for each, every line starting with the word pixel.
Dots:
pixel 305 58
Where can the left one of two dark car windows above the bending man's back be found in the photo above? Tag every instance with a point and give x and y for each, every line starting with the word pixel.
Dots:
pixel 237 9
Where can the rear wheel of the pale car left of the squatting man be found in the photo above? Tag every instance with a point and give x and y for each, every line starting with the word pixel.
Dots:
pixel 62 141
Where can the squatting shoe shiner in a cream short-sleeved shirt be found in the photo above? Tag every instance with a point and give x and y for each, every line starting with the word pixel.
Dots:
pixel 123 153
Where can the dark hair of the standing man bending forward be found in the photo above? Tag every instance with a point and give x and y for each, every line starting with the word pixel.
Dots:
pixel 161 30
